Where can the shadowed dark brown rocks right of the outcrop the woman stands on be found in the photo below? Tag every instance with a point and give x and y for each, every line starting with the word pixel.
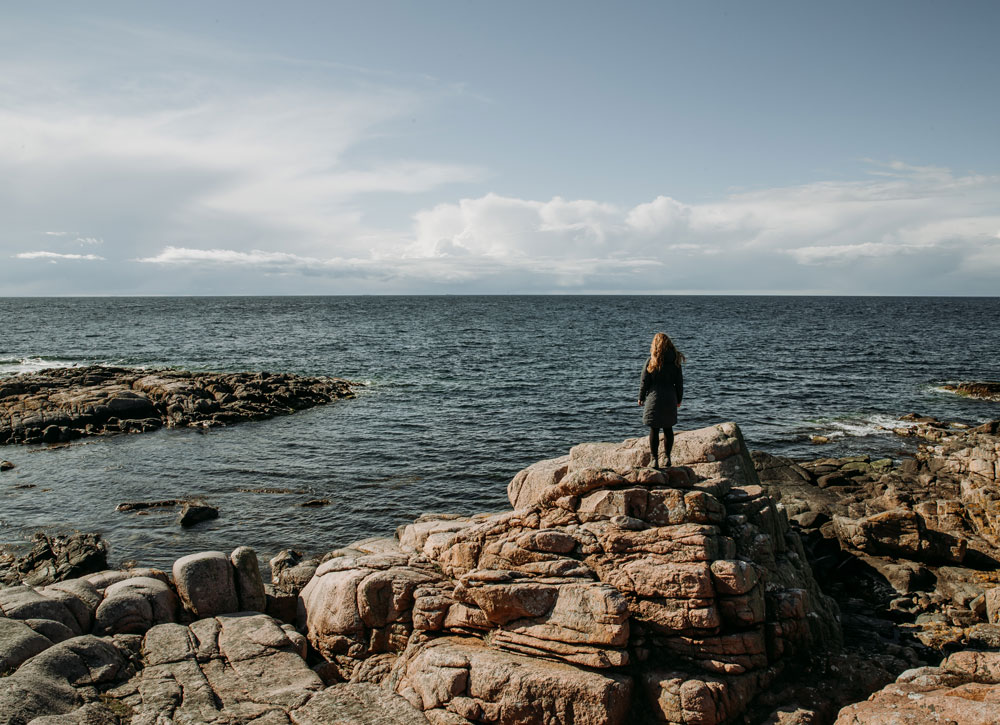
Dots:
pixel 910 549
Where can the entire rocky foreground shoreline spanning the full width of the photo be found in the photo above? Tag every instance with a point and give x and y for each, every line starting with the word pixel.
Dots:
pixel 733 587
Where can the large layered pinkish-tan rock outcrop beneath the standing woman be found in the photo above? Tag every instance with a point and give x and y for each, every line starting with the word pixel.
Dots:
pixel 611 593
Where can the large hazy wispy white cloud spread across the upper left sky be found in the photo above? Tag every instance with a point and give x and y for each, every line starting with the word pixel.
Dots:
pixel 209 144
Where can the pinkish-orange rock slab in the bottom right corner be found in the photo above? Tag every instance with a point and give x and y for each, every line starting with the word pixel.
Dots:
pixel 964 689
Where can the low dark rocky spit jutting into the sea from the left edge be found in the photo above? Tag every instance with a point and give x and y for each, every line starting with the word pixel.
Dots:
pixel 58 405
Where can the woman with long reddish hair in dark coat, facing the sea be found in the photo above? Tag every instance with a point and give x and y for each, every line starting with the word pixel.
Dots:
pixel 660 391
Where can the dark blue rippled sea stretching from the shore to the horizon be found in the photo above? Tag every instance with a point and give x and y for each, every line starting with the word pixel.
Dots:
pixel 460 393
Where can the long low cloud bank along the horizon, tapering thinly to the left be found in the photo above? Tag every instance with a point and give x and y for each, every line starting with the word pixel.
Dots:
pixel 815 238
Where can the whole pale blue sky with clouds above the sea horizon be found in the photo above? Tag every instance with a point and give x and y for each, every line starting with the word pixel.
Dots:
pixel 435 147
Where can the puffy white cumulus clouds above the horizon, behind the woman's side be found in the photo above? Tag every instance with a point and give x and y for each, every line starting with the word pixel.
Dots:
pixel 914 216
